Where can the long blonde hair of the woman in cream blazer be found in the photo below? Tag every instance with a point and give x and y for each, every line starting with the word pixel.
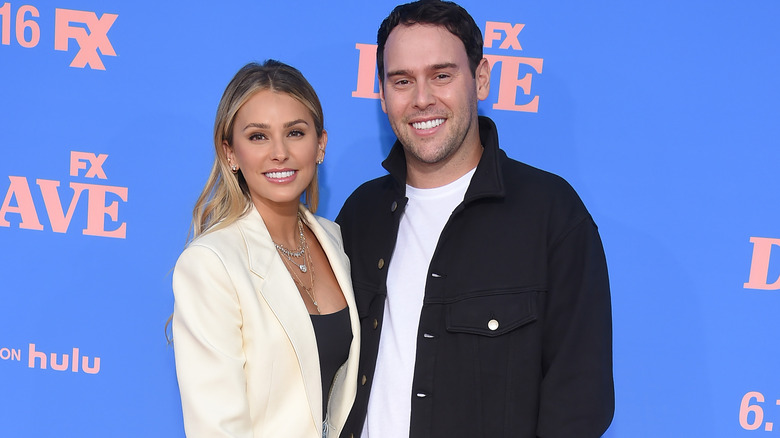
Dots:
pixel 225 198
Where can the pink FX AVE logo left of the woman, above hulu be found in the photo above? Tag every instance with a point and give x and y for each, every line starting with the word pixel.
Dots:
pixel 22 203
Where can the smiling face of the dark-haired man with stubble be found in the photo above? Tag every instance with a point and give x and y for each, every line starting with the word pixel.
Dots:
pixel 429 93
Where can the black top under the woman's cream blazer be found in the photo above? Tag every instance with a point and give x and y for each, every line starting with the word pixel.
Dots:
pixel 334 336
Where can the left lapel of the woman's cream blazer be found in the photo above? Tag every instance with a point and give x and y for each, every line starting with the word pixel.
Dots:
pixel 281 294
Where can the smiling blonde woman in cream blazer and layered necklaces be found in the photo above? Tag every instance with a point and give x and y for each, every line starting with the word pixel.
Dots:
pixel 265 328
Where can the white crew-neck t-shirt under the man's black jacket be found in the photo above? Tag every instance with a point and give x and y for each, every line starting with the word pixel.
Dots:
pixel 426 213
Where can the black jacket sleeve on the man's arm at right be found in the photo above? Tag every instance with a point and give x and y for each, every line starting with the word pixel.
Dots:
pixel 577 390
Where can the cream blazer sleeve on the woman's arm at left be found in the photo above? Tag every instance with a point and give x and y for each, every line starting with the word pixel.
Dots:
pixel 207 343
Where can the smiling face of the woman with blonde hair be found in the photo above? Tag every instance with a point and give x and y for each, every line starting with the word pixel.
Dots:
pixel 276 147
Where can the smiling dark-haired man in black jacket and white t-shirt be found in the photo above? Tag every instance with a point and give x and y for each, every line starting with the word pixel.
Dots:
pixel 480 281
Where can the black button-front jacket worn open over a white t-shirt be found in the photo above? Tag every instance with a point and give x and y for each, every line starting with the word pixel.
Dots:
pixel 515 334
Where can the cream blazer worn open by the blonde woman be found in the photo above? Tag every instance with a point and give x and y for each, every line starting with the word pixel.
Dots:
pixel 246 353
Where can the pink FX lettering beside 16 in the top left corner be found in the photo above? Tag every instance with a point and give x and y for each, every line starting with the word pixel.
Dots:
pixel 89 31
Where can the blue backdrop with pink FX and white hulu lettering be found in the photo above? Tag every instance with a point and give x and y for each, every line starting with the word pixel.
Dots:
pixel 663 115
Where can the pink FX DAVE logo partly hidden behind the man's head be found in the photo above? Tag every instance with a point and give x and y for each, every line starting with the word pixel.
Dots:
pixel 515 73
